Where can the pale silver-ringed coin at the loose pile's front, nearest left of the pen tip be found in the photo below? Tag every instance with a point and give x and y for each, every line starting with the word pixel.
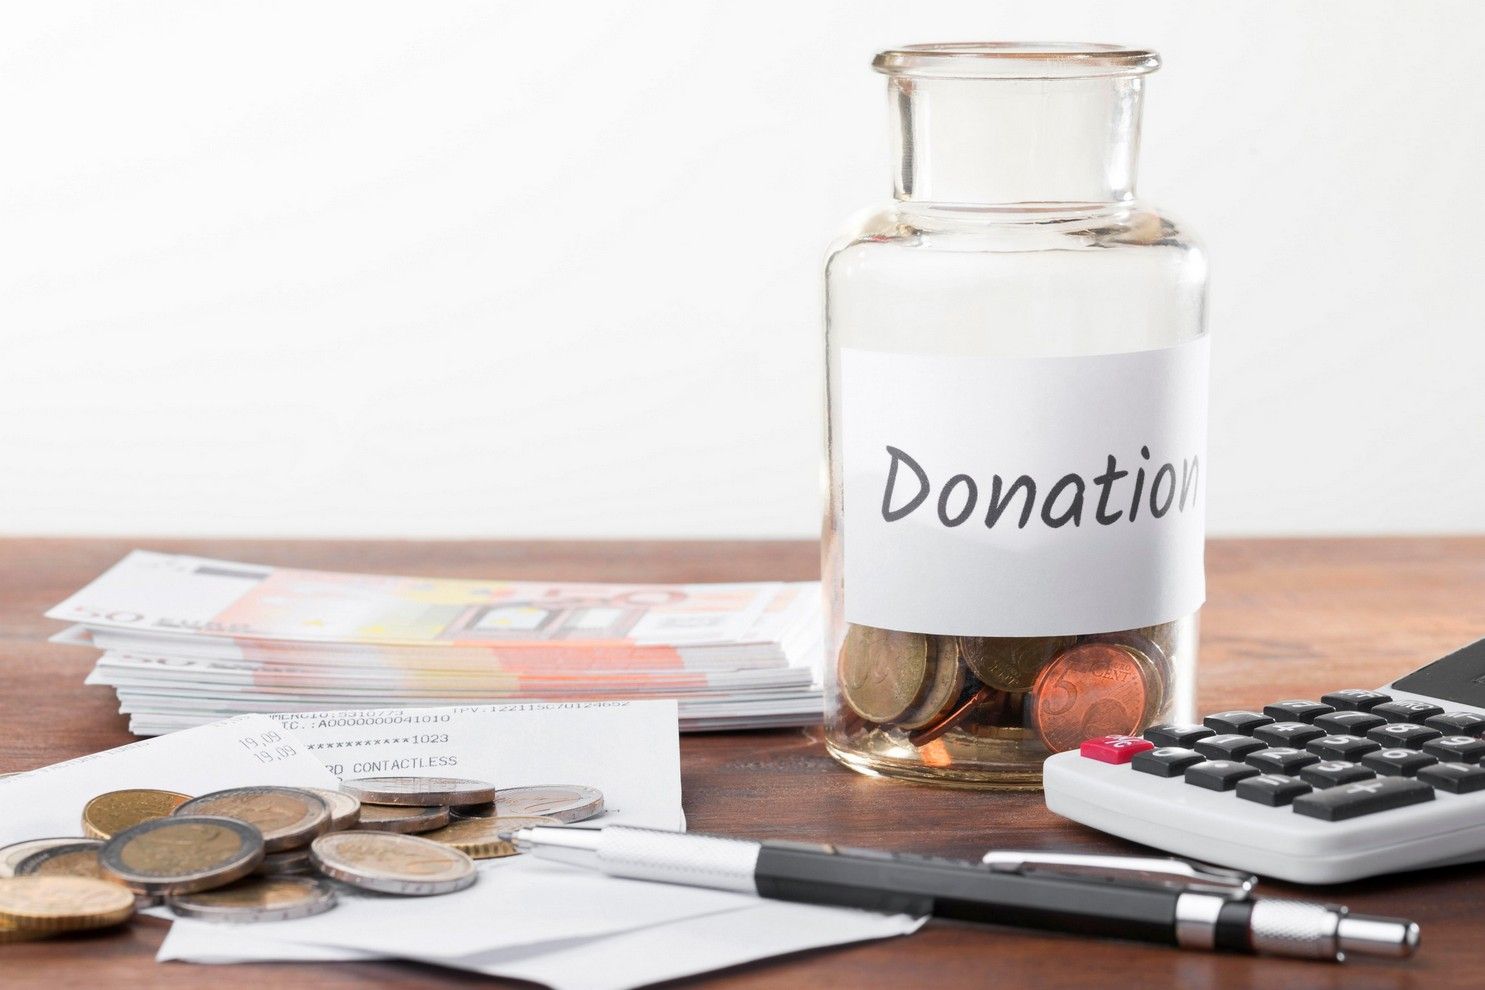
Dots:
pixel 390 863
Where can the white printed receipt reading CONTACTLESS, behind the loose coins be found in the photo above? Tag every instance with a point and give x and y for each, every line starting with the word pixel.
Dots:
pixel 627 750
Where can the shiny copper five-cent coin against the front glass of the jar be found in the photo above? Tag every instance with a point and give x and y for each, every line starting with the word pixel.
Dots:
pixel 1092 689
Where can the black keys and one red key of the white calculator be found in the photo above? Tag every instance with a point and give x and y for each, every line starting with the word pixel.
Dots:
pixel 1349 755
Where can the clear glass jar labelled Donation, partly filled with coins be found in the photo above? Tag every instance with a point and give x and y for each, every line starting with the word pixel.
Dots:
pixel 1016 379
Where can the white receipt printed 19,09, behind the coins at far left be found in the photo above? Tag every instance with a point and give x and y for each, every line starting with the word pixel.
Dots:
pixel 238 752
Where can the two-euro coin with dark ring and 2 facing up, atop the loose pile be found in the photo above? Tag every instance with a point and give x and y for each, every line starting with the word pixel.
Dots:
pixel 183 854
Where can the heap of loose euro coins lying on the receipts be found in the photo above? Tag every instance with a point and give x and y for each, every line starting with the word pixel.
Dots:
pixel 264 854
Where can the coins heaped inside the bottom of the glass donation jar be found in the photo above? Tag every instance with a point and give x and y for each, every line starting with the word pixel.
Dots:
pixel 1055 691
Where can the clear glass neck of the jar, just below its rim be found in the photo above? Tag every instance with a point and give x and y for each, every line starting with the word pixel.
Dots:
pixel 1016 143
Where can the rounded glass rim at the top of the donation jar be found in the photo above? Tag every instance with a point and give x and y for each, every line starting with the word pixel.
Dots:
pixel 1016 60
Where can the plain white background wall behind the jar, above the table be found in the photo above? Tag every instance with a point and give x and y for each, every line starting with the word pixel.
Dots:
pixel 483 268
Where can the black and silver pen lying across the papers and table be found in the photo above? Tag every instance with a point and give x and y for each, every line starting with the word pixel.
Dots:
pixel 1153 900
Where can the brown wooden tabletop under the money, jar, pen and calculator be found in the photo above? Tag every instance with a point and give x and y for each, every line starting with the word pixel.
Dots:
pixel 1284 618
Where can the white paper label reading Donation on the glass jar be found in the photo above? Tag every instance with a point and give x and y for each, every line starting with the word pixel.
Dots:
pixel 1024 496
